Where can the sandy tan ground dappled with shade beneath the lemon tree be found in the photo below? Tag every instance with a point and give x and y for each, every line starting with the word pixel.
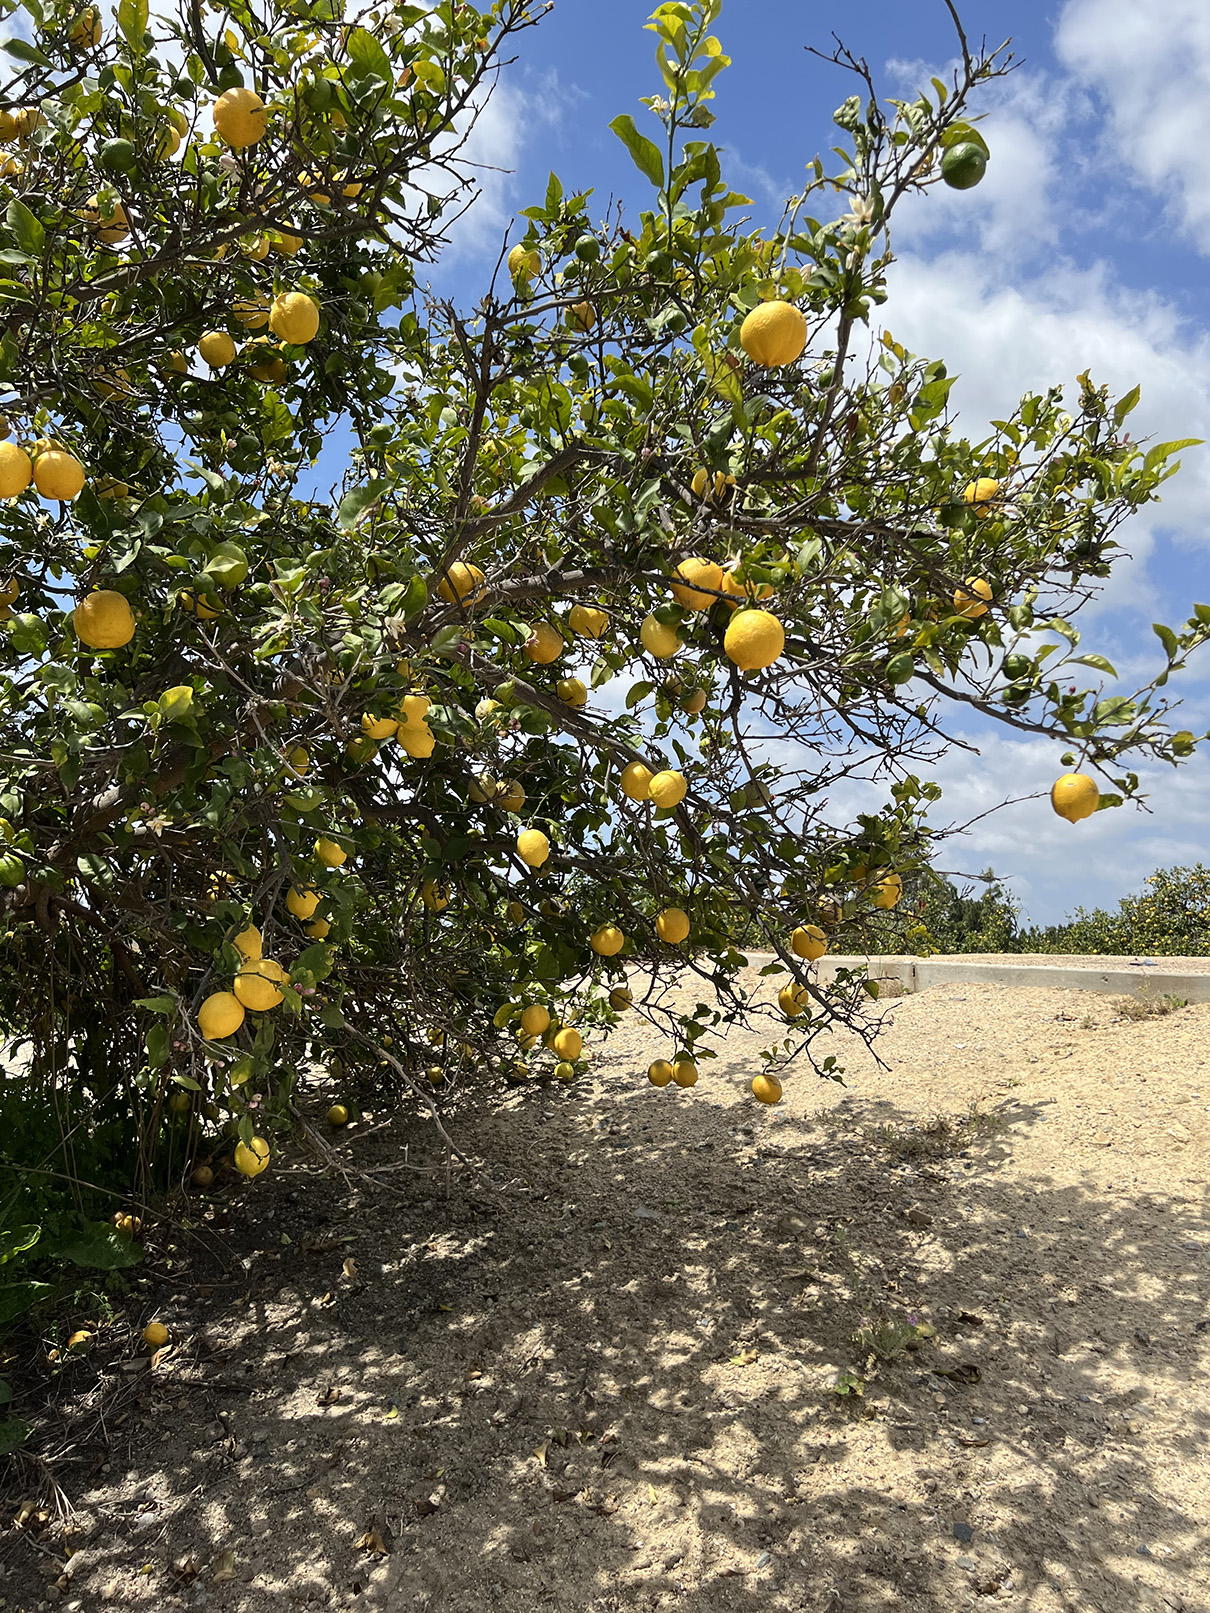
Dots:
pixel 933 1340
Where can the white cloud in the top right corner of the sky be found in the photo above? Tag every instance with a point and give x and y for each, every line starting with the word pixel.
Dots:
pixel 1151 64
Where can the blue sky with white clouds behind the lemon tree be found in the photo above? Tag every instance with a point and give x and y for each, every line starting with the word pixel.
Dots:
pixel 1087 246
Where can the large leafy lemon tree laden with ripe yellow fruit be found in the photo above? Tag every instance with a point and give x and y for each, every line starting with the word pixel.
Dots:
pixel 633 565
